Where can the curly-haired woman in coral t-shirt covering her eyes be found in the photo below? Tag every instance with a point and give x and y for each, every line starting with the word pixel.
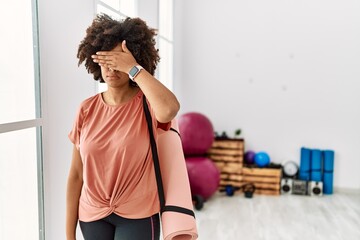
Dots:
pixel 111 186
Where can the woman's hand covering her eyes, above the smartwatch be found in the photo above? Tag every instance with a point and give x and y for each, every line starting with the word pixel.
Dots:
pixel 119 59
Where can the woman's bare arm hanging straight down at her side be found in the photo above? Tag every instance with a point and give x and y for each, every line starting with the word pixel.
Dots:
pixel 74 185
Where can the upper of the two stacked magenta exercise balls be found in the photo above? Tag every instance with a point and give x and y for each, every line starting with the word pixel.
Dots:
pixel 197 133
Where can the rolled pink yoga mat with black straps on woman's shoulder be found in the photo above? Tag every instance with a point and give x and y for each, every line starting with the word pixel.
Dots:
pixel 176 187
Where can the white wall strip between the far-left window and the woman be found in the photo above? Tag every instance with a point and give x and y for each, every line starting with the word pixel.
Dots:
pixel 62 27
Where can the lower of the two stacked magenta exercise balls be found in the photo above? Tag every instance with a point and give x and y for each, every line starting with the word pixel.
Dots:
pixel 204 176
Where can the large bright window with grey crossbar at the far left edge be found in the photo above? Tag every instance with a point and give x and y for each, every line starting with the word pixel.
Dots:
pixel 21 182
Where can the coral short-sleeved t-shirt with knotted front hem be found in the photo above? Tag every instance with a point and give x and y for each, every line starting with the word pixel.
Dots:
pixel 118 170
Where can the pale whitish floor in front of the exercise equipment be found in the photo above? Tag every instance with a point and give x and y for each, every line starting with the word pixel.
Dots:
pixel 290 217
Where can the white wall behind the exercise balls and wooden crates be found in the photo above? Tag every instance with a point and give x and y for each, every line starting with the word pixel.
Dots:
pixel 285 72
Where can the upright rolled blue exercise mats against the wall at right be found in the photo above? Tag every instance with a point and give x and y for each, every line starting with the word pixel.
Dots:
pixel 317 165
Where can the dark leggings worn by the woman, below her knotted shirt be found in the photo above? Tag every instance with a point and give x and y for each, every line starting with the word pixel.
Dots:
pixel 114 227
